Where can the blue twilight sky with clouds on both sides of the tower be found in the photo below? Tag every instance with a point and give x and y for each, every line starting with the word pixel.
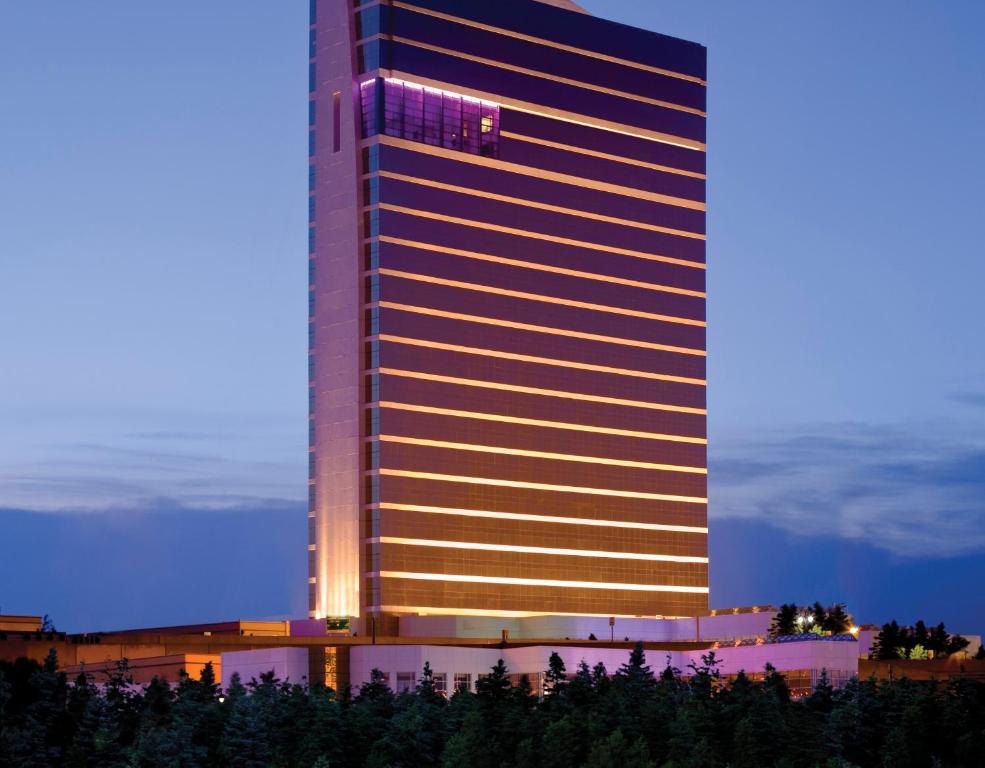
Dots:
pixel 153 313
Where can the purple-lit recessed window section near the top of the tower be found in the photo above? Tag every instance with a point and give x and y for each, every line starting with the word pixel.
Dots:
pixel 430 116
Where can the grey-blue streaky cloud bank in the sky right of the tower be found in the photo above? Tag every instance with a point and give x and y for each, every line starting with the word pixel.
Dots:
pixel 912 492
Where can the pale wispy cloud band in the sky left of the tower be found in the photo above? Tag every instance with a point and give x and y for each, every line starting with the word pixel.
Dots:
pixel 91 462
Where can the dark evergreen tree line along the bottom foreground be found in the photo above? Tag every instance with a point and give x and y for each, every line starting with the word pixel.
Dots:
pixel 629 718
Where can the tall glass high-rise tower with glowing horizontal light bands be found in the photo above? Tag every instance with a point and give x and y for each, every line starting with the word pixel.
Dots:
pixel 507 312
